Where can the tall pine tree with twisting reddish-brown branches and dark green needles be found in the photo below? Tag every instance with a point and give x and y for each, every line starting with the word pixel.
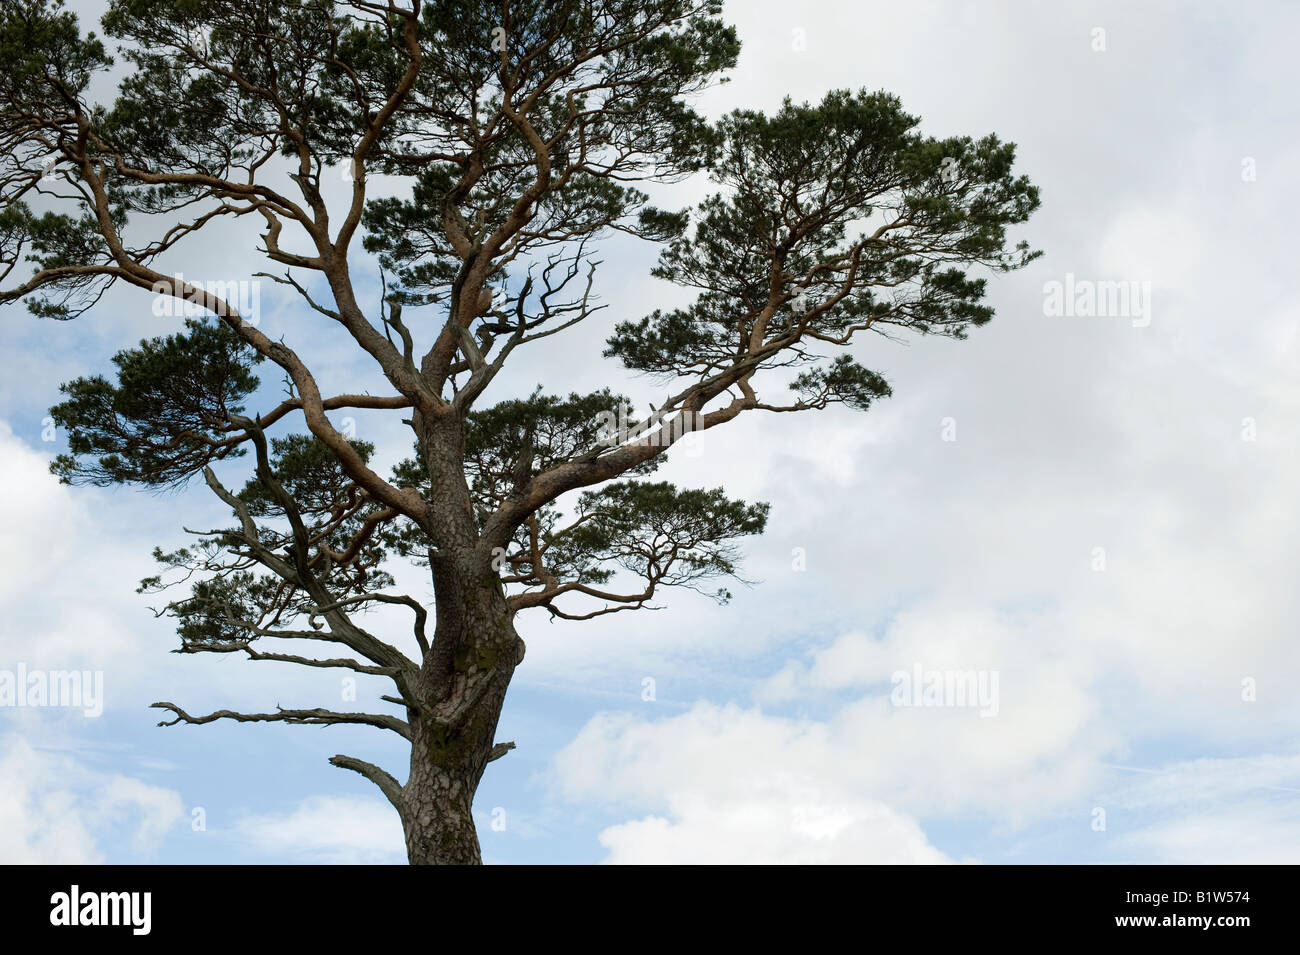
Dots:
pixel 521 132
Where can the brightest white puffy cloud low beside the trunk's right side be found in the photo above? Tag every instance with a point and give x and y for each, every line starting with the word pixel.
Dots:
pixel 733 787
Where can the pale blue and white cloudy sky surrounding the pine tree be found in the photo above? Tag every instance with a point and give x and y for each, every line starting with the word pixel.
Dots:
pixel 1093 513
